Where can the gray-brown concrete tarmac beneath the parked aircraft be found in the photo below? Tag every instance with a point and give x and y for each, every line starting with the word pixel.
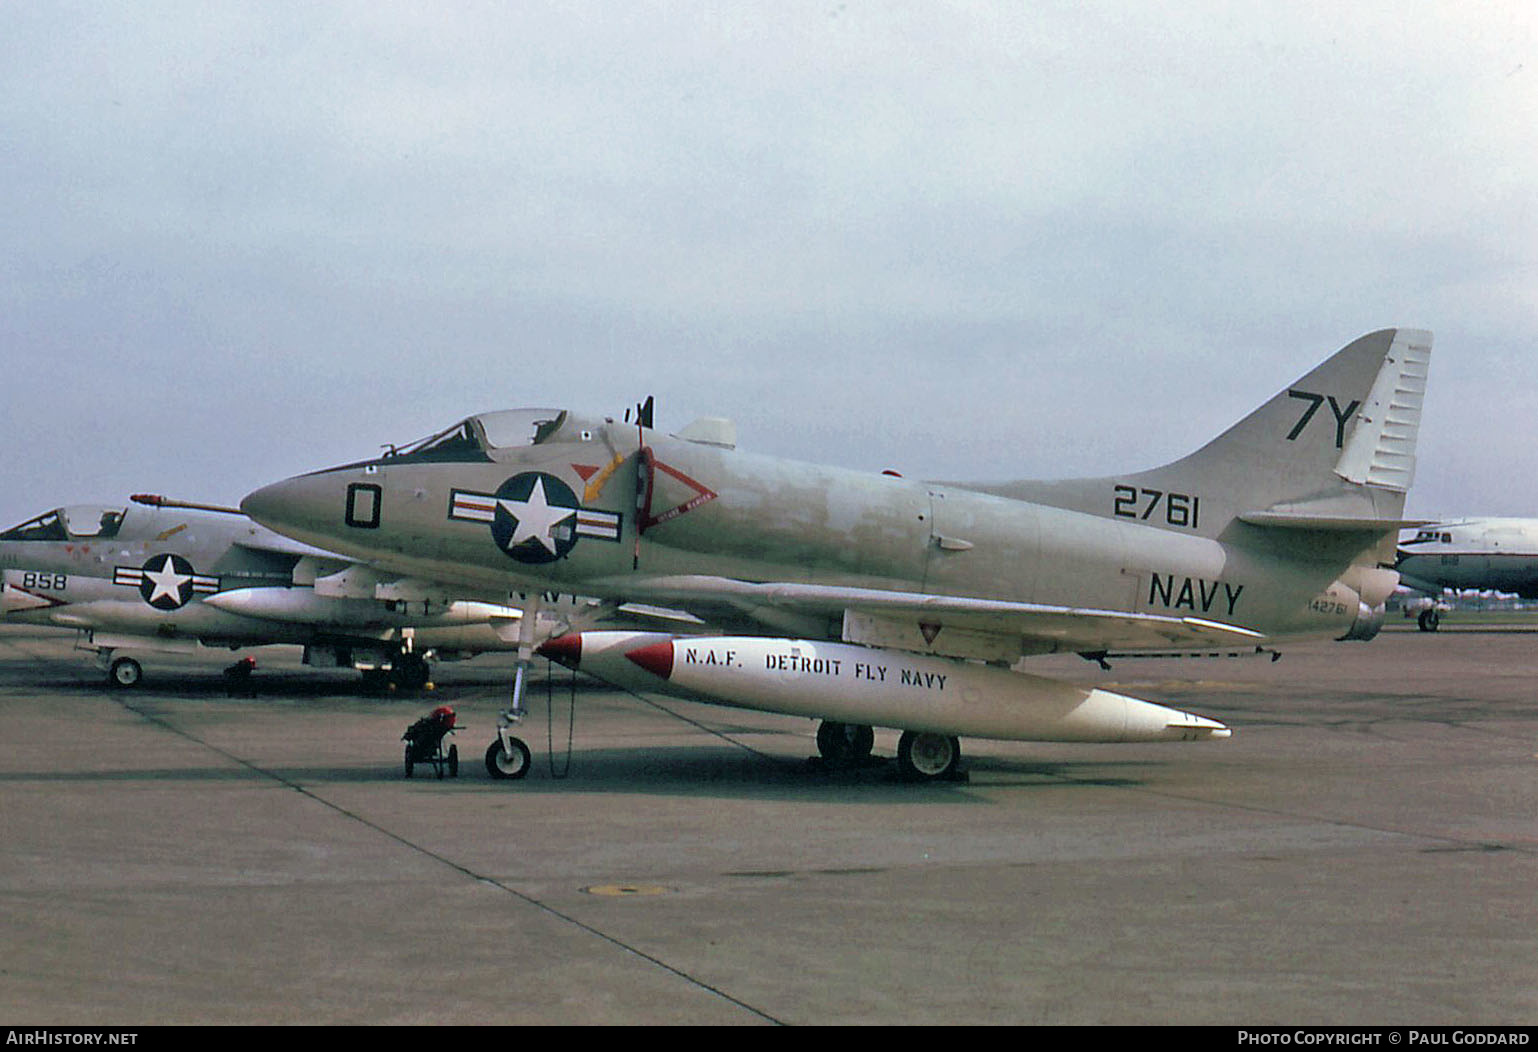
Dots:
pixel 1363 851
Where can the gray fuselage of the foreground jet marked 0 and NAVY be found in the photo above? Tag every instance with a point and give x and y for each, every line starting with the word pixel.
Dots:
pixel 624 518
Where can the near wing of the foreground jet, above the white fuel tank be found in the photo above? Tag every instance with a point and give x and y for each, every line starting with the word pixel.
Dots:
pixel 948 624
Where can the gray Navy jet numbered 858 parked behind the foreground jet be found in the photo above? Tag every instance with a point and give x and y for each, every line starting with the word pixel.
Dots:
pixel 175 578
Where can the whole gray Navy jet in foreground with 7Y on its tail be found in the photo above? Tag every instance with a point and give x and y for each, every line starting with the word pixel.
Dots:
pixel 874 601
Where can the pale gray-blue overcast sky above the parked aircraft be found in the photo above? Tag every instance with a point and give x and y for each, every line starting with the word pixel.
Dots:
pixel 979 241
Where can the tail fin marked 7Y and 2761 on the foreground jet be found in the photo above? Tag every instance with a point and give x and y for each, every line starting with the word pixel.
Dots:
pixel 1333 451
